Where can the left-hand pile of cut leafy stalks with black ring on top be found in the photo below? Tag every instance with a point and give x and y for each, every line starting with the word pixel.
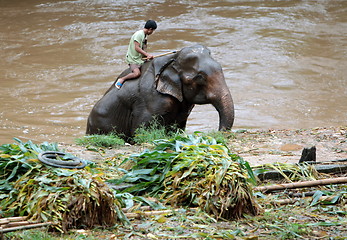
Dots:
pixel 67 198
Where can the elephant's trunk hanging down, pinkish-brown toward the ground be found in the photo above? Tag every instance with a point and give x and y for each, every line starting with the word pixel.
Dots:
pixel 225 108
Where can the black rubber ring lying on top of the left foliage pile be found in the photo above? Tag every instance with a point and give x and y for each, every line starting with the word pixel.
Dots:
pixel 50 158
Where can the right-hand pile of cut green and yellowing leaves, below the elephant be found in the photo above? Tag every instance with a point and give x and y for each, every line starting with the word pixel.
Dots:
pixel 193 171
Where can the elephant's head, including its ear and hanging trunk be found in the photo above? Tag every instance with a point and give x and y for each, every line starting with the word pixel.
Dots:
pixel 192 75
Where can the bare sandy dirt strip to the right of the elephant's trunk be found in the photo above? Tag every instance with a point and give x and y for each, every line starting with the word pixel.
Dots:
pixel 285 146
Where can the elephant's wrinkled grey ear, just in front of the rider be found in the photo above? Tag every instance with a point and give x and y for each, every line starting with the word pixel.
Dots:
pixel 168 80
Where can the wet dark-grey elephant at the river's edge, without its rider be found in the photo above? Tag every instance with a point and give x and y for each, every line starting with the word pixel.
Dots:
pixel 168 88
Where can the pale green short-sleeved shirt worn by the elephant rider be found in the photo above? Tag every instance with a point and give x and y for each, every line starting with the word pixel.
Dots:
pixel 134 57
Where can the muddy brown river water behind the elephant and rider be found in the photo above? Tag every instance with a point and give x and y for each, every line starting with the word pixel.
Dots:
pixel 285 62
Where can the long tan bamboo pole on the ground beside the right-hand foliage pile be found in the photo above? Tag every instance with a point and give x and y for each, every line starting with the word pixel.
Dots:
pixel 314 183
